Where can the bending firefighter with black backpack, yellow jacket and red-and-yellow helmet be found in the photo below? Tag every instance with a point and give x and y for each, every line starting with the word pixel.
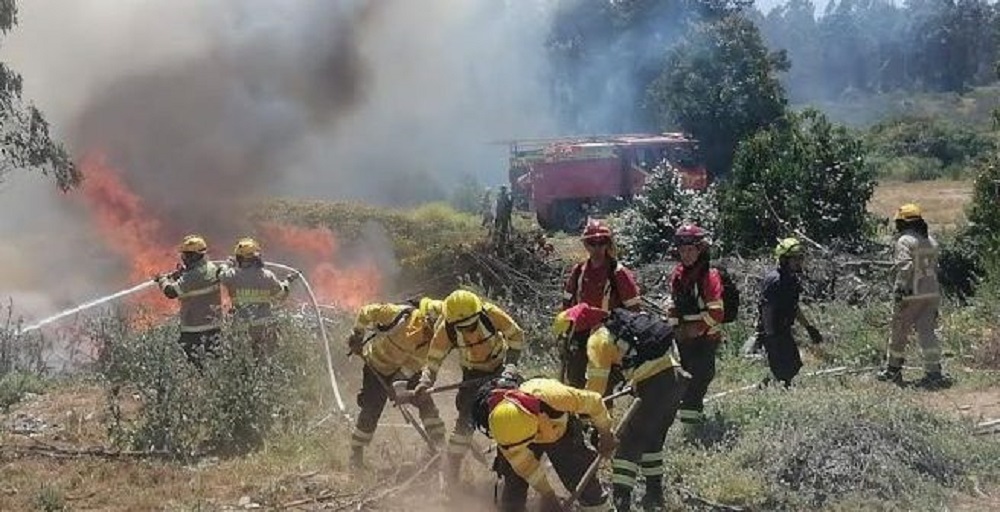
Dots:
pixel 639 345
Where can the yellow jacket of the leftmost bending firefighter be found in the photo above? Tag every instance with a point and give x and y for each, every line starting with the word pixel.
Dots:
pixel 400 341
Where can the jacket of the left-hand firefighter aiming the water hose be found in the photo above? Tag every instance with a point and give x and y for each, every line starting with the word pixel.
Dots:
pixel 197 289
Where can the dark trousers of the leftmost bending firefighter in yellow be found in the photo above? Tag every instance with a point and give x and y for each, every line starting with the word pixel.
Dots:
pixel 371 400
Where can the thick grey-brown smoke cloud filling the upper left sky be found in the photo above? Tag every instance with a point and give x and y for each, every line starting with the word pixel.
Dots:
pixel 206 107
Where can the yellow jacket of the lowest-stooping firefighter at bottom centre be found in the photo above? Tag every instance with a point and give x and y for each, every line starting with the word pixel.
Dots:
pixel 562 399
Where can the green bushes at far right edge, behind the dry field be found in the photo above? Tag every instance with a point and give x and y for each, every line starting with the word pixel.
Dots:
pixel 921 148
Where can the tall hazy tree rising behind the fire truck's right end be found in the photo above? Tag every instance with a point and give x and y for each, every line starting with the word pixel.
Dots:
pixel 721 85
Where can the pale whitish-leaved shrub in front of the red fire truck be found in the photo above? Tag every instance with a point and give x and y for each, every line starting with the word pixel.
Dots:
pixel 646 228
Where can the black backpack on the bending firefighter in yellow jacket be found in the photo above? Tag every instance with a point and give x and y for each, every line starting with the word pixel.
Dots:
pixel 646 337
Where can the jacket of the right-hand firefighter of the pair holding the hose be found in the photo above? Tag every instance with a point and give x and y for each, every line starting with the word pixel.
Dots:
pixel 253 291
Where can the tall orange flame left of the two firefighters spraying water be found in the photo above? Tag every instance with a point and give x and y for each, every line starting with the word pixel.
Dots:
pixel 120 217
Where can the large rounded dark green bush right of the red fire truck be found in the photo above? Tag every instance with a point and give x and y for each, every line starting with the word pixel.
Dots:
pixel 802 175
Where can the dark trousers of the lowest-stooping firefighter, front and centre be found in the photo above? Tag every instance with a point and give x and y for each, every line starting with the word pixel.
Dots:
pixel 570 458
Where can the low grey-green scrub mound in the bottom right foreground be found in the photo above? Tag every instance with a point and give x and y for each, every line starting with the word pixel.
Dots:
pixel 827 447
